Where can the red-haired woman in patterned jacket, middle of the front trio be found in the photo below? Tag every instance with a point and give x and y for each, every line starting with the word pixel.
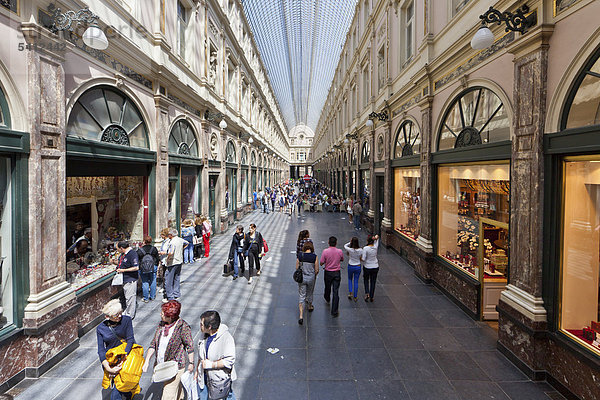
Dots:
pixel 172 342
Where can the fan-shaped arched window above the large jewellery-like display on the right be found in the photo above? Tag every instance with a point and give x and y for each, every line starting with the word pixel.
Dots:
pixel 475 117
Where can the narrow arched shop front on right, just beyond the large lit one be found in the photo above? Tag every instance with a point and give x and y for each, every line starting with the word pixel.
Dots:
pixel 406 193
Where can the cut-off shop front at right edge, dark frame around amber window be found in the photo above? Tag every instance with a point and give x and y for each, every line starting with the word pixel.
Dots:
pixel 572 237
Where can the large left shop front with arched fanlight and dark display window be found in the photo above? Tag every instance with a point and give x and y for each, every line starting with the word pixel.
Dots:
pixel 108 188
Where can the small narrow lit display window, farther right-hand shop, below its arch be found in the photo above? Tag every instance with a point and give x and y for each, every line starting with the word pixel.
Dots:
pixel 407 202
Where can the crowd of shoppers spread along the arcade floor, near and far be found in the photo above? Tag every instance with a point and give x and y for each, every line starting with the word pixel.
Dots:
pixel 208 372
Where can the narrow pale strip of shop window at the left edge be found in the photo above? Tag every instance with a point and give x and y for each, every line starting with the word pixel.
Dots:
pixel 6 270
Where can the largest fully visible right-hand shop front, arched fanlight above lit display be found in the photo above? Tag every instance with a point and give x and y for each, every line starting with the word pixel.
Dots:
pixel 472 203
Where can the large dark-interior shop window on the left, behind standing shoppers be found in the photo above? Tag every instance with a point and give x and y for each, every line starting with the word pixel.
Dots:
pixel 111 208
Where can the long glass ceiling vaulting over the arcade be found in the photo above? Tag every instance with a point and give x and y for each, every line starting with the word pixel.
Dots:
pixel 300 42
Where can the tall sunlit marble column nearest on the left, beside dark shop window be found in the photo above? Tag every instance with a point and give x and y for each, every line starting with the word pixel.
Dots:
pixel 49 293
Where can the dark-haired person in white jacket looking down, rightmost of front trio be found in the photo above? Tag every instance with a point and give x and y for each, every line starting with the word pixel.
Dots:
pixel 215 373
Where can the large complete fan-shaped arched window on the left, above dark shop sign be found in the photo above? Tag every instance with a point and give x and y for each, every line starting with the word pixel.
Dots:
pixel 107 115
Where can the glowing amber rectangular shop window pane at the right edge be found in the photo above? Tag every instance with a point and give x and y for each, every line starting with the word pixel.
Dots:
pixel 580 257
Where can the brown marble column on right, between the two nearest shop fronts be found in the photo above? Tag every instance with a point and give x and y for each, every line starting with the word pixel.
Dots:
pixel 524 290
